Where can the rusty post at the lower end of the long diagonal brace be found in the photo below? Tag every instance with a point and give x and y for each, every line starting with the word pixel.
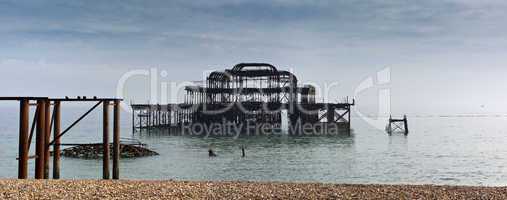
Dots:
pixel 56 145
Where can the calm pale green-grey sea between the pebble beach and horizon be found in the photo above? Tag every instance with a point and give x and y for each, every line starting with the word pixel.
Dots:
pixel 438 150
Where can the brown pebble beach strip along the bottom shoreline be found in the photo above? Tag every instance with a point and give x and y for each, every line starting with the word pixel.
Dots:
pixel 125 189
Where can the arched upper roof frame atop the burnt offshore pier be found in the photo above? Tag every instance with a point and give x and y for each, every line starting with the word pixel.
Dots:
pixel 232 84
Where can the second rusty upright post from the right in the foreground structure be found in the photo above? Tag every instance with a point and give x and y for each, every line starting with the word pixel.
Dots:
pixel 105 140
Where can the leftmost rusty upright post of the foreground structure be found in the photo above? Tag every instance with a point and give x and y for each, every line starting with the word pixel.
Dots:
pixel 24 112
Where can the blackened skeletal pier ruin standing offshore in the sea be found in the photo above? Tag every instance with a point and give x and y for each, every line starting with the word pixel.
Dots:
pixel 248 93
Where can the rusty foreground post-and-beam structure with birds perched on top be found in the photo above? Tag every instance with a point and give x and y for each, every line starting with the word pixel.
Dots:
pixel 46 122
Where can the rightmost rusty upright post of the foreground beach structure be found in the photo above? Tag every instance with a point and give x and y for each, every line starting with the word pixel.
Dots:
pixel 116 140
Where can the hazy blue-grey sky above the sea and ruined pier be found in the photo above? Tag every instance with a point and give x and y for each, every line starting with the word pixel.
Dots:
pixel 445 56
